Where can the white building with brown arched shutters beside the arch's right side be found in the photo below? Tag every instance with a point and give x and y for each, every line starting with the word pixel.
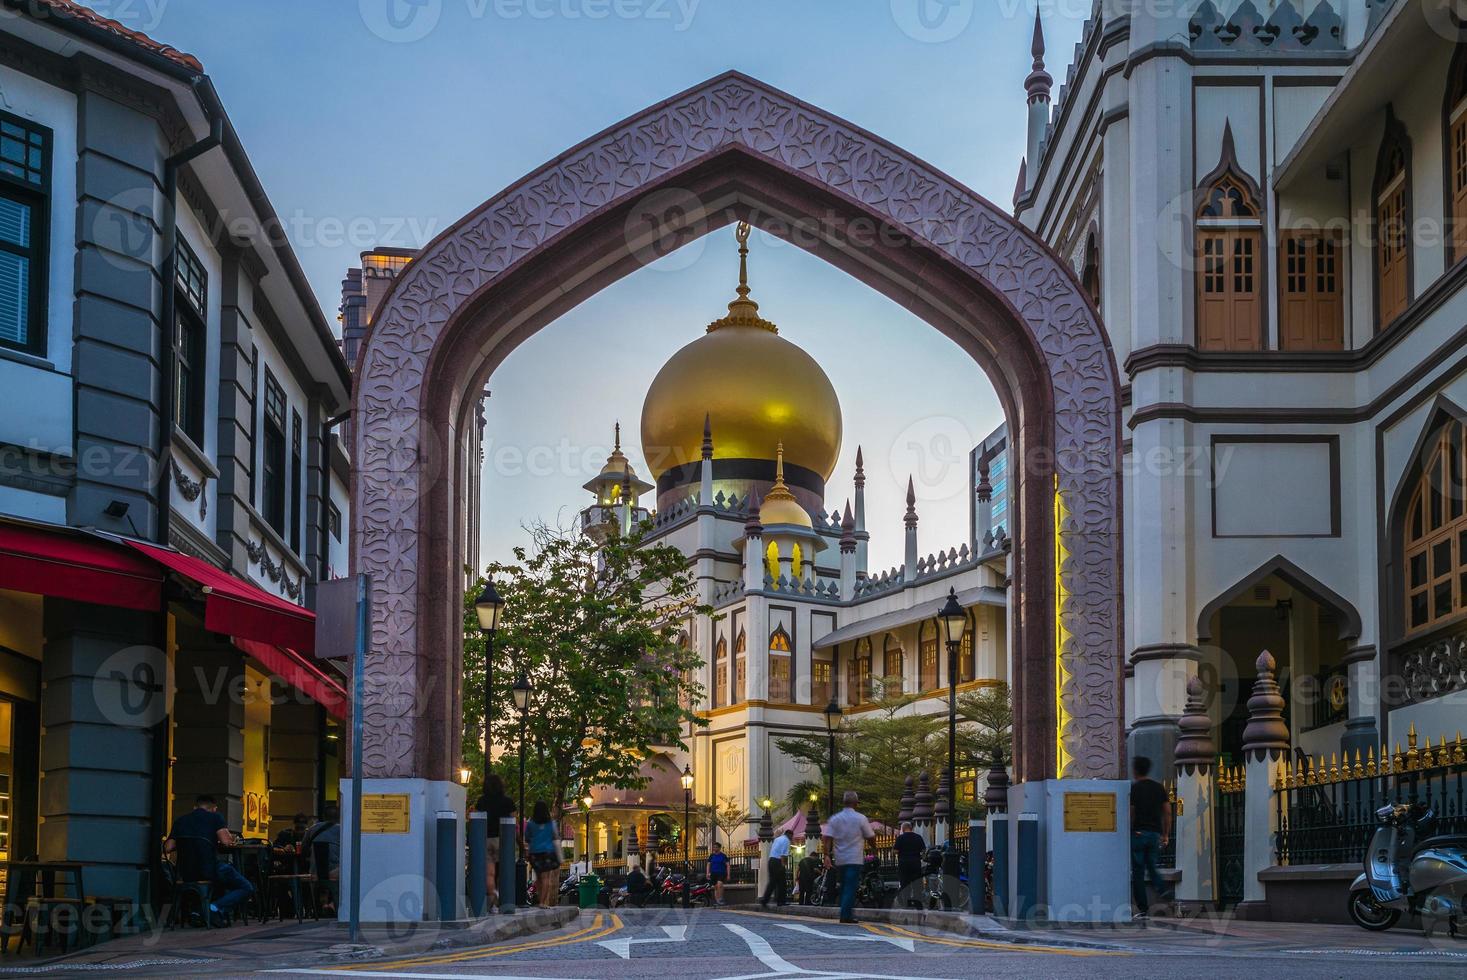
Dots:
pixel 1268 203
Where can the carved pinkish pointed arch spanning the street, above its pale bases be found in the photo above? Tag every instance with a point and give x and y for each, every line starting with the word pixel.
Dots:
pixel 734 149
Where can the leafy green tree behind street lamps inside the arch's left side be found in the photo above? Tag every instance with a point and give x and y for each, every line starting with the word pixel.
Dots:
pixel 596 630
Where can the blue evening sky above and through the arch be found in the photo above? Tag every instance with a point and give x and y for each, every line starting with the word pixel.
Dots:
pixel 385 121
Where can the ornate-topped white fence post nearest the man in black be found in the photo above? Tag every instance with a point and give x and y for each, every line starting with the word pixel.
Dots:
pixel 1193 822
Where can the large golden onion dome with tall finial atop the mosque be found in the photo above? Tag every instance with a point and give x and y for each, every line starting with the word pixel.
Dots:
pixel 758 388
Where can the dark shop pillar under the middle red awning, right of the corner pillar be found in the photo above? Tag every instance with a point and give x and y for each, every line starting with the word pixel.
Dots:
pixel 209 724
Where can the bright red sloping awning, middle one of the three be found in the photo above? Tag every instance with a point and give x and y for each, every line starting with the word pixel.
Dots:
pixel 237 608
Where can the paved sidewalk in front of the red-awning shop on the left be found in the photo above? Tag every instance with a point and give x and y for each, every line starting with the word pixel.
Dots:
pixel 290 944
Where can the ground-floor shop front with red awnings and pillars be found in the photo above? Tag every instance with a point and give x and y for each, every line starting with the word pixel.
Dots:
pixel 136 679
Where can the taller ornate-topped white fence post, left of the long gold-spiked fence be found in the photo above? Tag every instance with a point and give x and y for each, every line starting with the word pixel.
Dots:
pixel 1265 750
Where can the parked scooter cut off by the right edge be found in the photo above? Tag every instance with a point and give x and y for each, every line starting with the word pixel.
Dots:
pixel 1402 875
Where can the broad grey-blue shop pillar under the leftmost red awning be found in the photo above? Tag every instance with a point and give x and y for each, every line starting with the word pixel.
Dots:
pixel 105 750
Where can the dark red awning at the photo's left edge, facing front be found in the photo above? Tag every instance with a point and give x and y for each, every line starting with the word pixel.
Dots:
pixel 76 567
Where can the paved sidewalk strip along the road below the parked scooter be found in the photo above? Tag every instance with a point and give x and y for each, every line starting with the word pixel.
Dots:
pixel 1161 935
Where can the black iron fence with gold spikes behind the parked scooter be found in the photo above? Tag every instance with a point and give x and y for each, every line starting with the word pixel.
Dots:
pixel 1327 812
